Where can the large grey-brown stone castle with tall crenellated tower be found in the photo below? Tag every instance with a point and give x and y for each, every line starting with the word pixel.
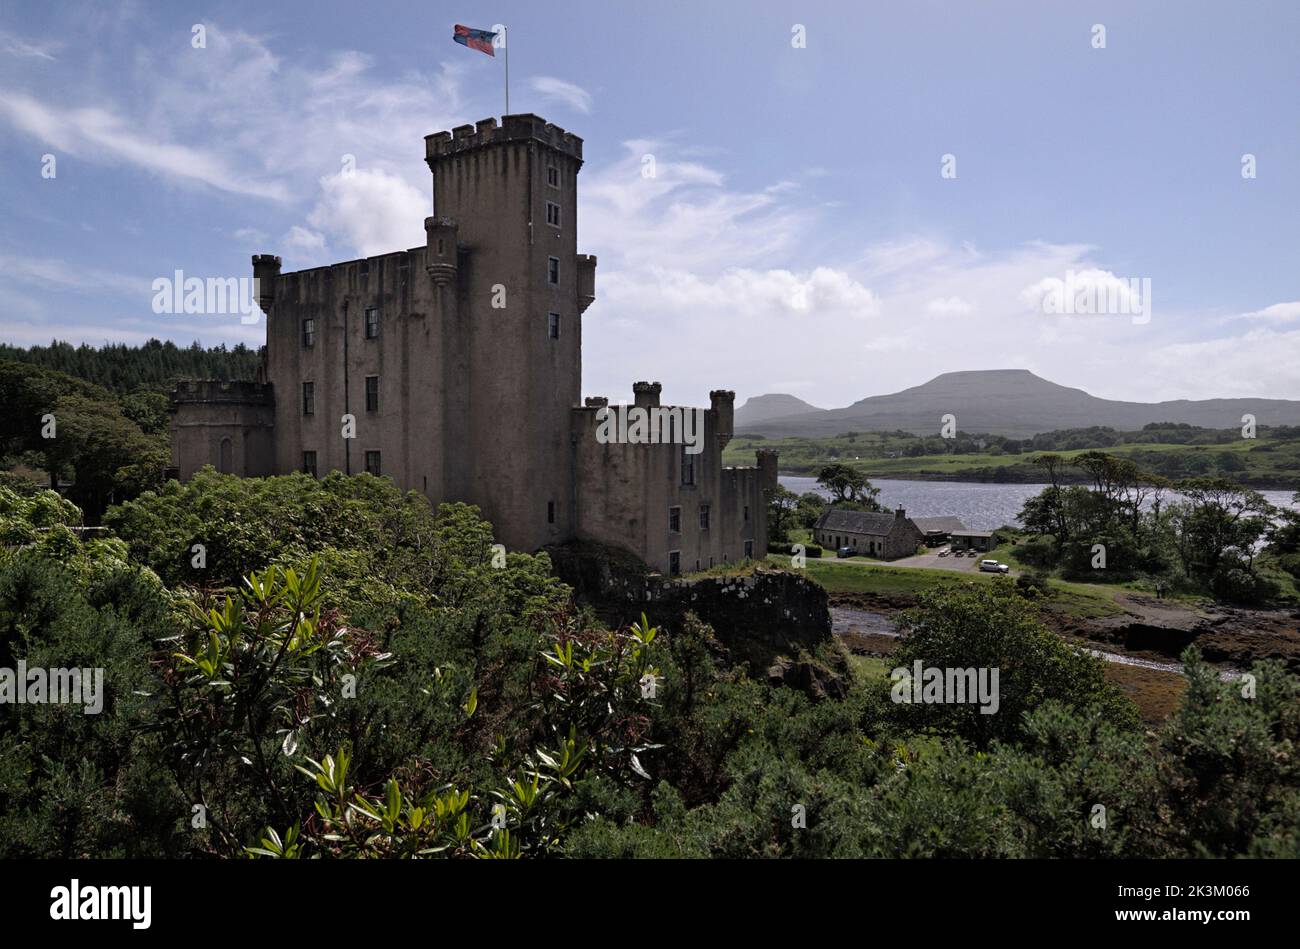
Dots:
pixel 456 370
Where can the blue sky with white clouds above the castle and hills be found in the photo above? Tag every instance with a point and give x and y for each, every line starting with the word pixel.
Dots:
pixel 798 235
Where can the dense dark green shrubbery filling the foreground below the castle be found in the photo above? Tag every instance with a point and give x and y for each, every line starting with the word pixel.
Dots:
pixel 393 694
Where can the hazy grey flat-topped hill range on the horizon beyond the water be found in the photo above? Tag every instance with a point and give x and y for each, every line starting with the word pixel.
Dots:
pixel 1007 402
